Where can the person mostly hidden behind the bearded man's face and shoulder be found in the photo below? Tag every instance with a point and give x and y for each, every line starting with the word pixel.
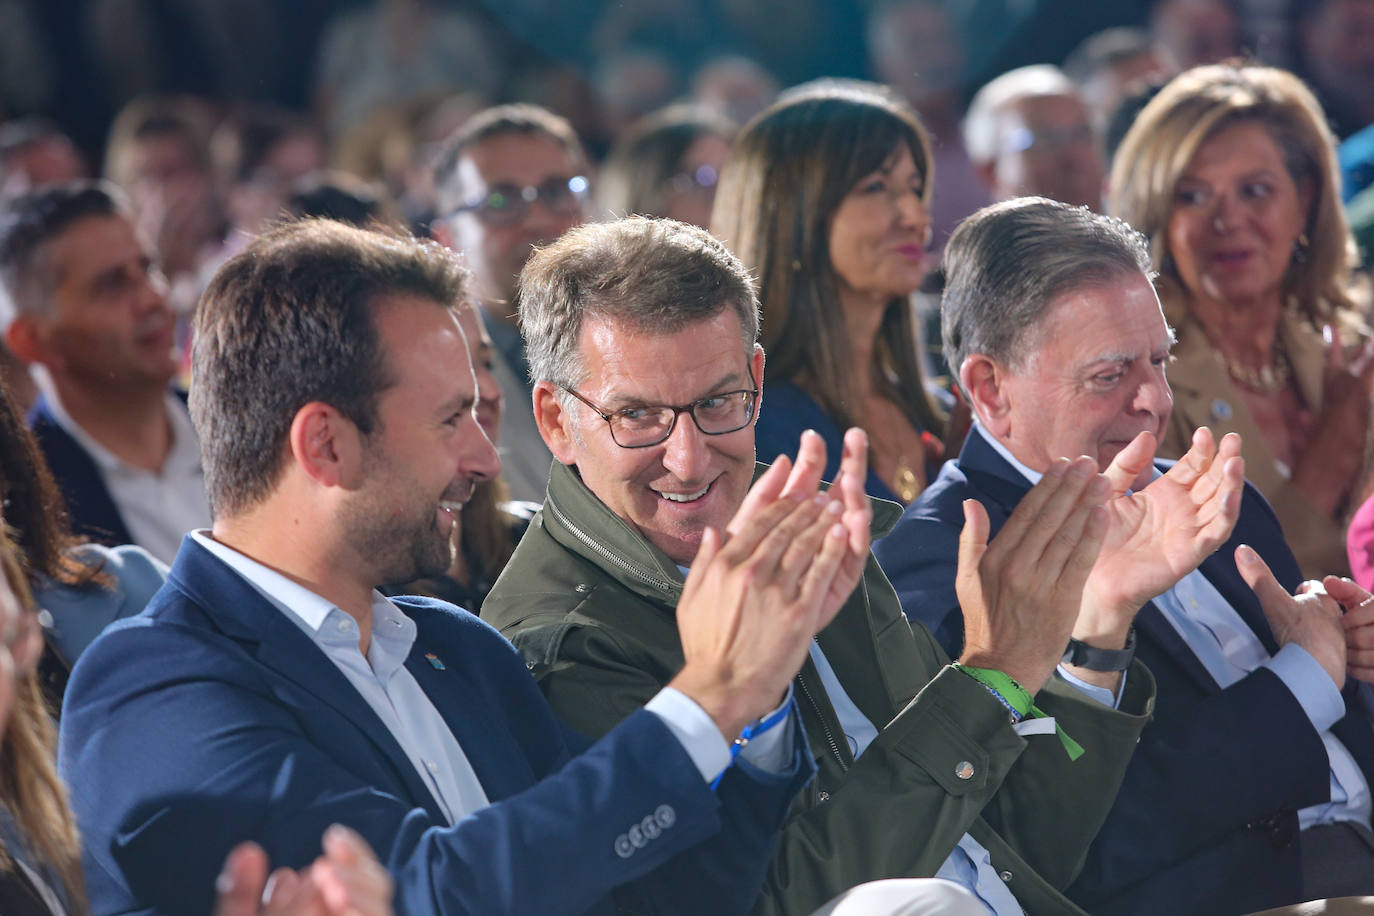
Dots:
pixel 490 527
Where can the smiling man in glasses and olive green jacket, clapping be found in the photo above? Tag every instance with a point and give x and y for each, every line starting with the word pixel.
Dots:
pixel 949 782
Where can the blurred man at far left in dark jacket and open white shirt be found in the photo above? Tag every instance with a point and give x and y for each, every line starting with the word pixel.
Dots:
pixel 85 303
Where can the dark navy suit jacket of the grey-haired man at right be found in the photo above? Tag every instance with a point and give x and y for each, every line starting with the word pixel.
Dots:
pixel 1206 821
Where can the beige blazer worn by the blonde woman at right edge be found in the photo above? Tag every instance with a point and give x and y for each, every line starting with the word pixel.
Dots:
pixel 1206 396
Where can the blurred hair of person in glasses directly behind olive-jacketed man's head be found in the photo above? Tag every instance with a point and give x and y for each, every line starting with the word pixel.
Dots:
pixel 635 175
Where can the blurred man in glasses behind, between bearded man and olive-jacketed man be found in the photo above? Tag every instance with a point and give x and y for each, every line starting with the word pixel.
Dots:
pixel 512 179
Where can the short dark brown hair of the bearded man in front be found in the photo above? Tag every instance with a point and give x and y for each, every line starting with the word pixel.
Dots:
pixel 288 322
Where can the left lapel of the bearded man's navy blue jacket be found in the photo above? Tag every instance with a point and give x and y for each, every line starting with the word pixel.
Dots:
pixel 281 646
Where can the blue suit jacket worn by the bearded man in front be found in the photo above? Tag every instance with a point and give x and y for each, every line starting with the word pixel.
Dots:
pixel 212 719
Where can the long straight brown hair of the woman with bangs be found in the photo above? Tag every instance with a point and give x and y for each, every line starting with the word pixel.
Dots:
pixel 787 176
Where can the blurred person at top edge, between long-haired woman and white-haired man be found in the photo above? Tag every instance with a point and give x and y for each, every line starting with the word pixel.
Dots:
pixel 916 49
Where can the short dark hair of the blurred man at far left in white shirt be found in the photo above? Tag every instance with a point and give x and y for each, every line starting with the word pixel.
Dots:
pixel 28 223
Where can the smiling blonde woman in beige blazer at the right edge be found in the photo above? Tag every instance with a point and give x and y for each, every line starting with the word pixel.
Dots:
pixel 1230 172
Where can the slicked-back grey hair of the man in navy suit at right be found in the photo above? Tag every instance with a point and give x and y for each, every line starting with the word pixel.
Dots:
pixel 1006 264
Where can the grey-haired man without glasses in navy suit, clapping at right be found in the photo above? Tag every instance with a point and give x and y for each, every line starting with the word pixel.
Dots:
pixel 1251 786
